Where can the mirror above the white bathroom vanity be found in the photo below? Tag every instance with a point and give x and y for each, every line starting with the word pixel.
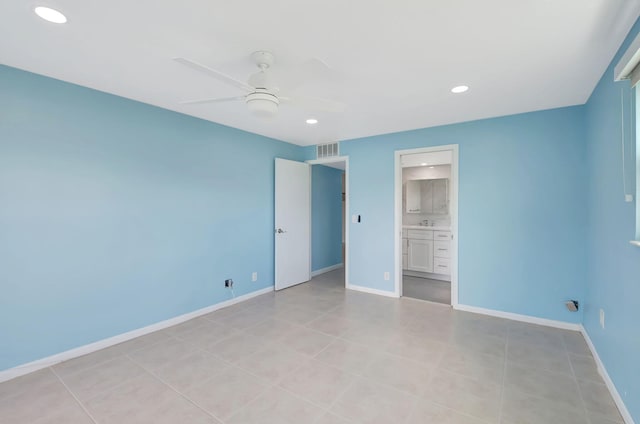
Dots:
pixel 427 196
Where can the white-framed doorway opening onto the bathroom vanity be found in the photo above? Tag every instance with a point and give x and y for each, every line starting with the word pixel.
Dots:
pixel 426 224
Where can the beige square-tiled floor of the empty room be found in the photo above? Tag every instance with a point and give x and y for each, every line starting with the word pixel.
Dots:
pixel 318 354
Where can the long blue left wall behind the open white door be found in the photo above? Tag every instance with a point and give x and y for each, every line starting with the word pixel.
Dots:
pixel 115 215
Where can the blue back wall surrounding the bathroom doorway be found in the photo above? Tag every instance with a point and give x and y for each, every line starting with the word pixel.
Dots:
pixel 522 220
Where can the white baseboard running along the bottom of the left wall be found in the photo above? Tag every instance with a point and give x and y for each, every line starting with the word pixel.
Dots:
pixel 120 338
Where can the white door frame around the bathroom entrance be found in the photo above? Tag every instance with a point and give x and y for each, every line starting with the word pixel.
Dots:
pixel 453 208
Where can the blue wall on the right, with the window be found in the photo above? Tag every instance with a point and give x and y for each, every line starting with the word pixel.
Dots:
pixel 613 282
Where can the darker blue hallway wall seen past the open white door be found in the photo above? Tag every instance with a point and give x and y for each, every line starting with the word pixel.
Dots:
pixel 326 217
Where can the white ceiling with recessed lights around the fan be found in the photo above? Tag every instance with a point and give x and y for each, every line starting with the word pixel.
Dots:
pixel 393 62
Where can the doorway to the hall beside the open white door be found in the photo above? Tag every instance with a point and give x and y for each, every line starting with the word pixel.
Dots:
pixel 330 227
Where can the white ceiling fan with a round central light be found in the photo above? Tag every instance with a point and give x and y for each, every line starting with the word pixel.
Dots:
pixel 262 96
